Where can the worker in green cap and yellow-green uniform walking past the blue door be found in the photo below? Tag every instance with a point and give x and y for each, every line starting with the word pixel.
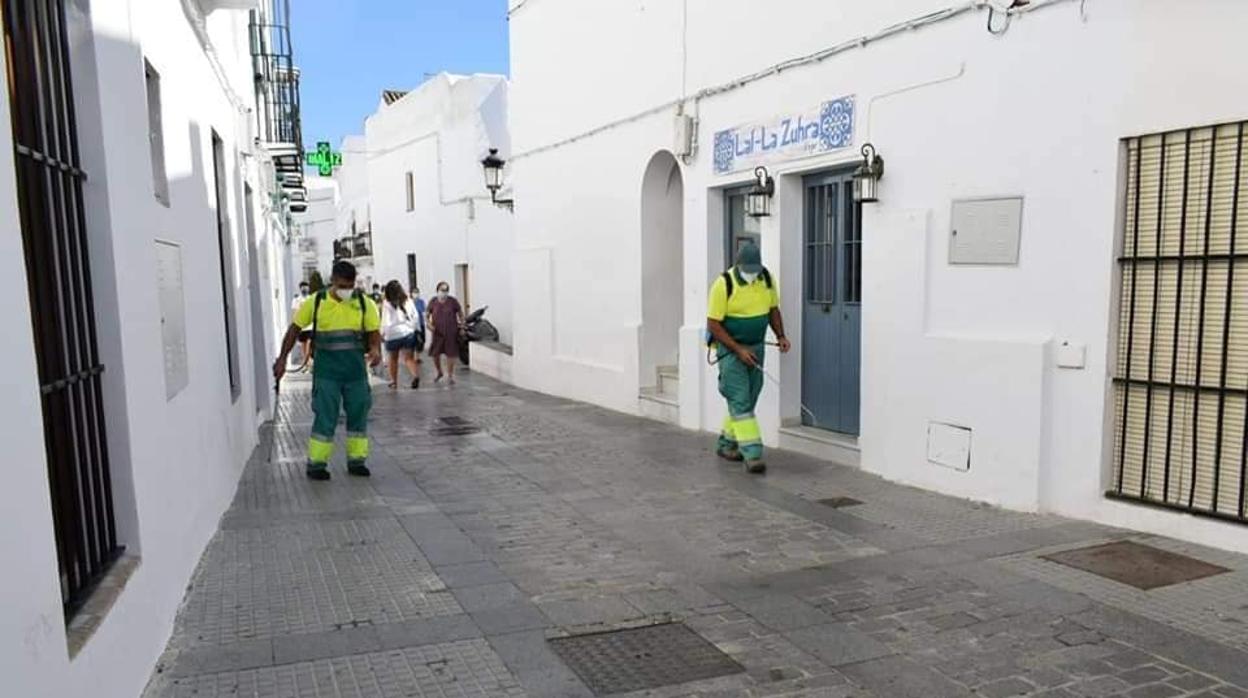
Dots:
pixel 743 303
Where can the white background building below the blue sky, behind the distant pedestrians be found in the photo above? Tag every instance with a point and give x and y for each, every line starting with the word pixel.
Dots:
pixel 440 133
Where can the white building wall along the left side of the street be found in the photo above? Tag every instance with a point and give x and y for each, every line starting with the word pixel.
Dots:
pixel 175 463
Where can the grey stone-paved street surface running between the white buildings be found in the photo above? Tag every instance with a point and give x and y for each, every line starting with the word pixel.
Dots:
pixel 451 569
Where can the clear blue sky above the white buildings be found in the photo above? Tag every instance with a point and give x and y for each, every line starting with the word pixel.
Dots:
pixel 350 51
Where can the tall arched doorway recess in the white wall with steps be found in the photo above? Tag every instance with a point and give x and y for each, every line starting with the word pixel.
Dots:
pixel 662 273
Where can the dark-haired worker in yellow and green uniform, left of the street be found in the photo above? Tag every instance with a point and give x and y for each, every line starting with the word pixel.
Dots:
pixel 346 340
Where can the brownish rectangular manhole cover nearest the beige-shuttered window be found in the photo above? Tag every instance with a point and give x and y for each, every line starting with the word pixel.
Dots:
pixel 1144 568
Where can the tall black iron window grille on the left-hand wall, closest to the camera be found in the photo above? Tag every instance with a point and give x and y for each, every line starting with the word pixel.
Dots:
pixel 49 180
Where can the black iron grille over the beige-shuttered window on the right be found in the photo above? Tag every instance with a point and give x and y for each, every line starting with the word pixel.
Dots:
pixel 1181 381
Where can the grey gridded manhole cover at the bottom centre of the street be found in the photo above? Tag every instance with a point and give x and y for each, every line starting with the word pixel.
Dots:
pixel 642 659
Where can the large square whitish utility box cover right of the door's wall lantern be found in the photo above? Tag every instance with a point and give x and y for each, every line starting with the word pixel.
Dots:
pixel 985 232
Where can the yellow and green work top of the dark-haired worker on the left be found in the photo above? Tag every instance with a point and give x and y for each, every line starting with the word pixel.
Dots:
pixel 341 337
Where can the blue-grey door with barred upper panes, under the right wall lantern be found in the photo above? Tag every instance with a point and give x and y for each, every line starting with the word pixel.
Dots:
pixel 832 307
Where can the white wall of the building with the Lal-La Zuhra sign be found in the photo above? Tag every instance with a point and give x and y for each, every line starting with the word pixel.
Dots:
pixel 957 113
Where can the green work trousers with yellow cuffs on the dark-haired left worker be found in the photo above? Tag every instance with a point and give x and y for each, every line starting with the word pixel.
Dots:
pixel 329 396
